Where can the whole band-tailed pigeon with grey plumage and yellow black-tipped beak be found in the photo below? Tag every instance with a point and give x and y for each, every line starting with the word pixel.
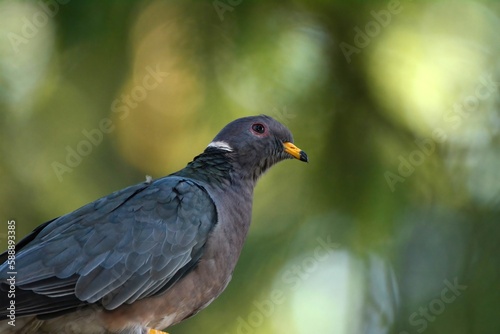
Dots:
pixel 150 255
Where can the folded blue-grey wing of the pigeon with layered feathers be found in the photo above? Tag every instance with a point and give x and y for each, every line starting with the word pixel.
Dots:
pixel 129 245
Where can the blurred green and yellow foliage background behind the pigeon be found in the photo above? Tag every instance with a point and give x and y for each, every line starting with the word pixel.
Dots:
pixel 393 226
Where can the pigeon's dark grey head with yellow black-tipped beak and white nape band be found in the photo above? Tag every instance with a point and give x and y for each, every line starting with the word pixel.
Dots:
pixel 256 143
